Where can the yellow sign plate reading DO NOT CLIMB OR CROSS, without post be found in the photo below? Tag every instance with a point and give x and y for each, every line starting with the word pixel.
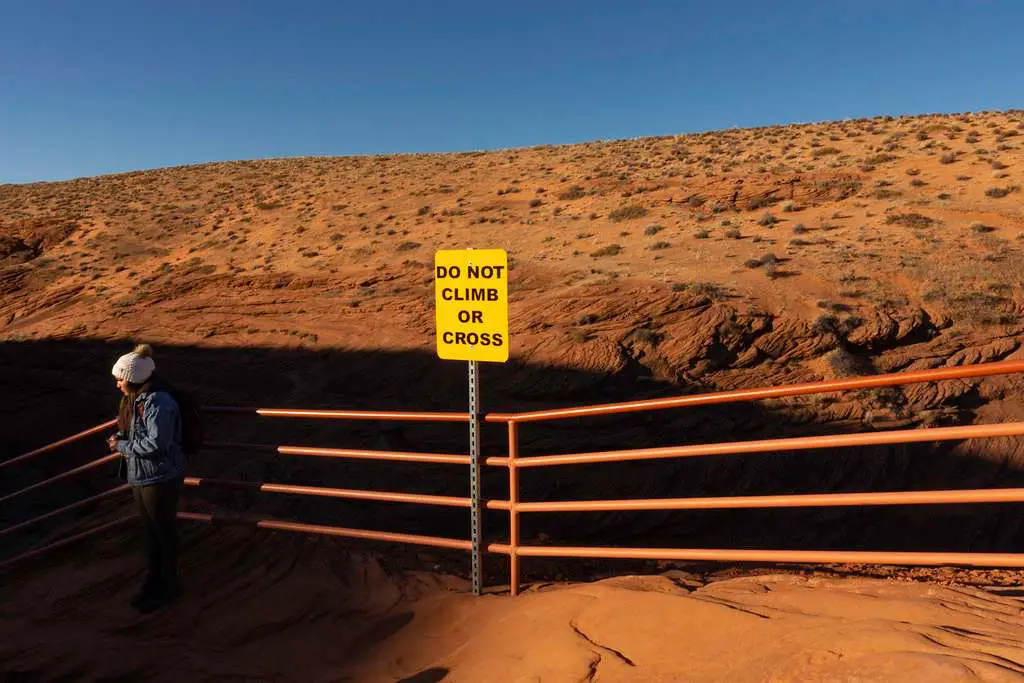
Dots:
pixel 472 294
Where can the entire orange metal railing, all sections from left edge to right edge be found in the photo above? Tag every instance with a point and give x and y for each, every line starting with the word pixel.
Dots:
pixel 514 462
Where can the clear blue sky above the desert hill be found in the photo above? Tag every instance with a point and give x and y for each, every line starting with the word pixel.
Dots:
pixel 104 87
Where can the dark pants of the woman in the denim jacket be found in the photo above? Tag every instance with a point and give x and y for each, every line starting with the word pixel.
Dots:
pixel 158 507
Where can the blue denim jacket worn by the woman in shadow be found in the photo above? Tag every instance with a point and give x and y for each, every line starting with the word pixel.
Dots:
pixel 153 450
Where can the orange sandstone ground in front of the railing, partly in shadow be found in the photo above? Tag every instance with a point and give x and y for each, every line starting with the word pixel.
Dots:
pixel 278 608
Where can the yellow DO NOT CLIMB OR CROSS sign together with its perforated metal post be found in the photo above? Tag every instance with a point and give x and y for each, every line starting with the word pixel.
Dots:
pixel 472 306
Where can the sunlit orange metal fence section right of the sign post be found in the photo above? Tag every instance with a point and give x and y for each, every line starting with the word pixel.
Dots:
pixel 516 507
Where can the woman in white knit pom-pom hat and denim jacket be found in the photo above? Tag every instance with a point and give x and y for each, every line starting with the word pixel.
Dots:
pixel 150 439
